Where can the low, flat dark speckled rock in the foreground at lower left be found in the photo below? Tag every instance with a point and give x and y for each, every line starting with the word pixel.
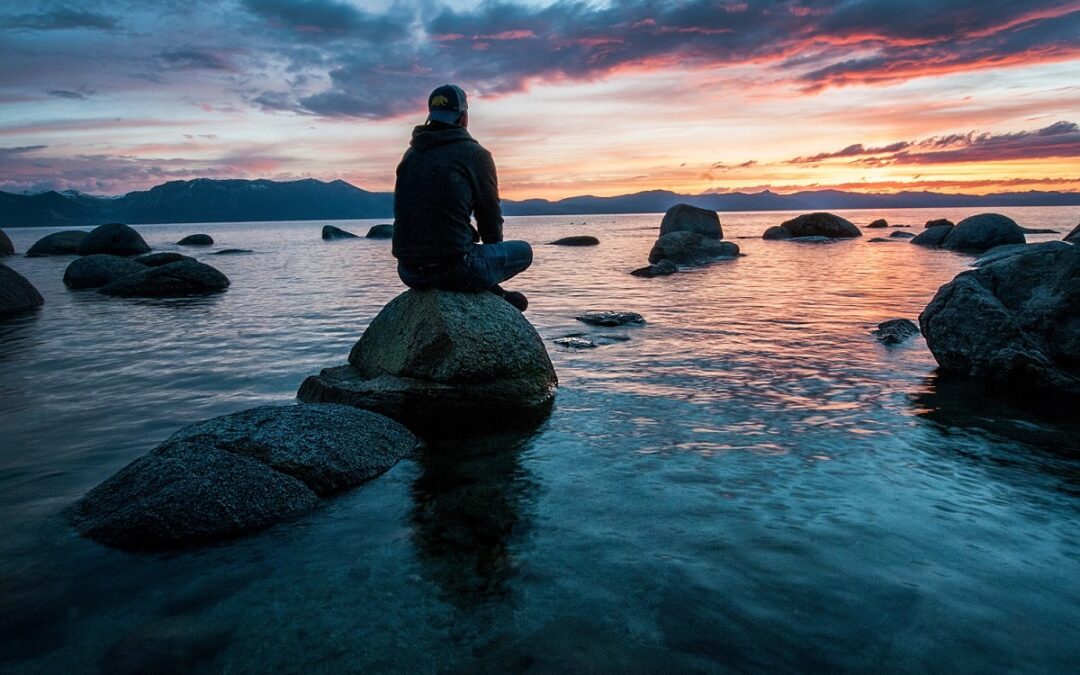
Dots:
pixel 238 475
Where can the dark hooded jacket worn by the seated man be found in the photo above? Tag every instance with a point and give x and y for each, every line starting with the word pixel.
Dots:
pixel 444 178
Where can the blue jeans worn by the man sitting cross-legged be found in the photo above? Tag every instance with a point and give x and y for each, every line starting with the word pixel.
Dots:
pixel 483 268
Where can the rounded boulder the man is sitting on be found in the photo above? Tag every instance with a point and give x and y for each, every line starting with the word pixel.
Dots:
pixel 444 362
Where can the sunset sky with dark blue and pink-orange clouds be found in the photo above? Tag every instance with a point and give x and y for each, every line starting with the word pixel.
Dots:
pixel 572 98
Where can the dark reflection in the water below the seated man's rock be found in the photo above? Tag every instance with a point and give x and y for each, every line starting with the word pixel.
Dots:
pixel 471 502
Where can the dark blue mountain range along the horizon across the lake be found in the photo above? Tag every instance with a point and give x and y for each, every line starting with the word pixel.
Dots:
pixel 206 200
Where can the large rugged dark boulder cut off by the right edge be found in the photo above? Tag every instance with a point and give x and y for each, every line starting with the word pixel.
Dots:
pixel 1015 321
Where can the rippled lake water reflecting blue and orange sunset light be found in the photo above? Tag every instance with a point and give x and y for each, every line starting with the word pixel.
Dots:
pixel 751 482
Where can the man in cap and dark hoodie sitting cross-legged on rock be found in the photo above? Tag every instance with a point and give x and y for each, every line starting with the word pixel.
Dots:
pixel 444 179
